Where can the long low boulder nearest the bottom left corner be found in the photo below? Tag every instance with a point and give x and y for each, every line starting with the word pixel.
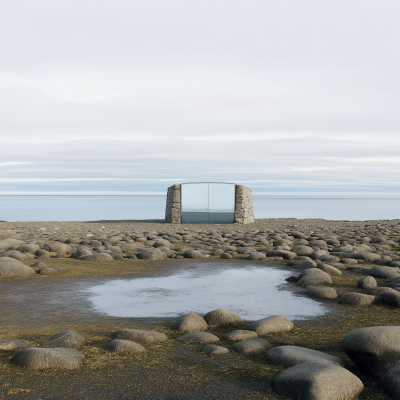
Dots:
pixel 37 359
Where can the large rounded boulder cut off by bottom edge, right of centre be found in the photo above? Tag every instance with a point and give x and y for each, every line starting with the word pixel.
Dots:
pixel 317 381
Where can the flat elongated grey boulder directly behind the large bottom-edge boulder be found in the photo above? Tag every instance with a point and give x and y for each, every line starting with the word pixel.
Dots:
pixel 288 356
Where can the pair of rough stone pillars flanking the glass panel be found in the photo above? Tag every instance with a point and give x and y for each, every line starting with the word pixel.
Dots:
pixel 244 212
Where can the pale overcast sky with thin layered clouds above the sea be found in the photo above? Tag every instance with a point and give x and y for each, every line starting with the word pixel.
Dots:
pixel 130 97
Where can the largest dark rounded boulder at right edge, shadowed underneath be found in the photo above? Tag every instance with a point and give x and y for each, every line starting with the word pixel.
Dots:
pixel 373 349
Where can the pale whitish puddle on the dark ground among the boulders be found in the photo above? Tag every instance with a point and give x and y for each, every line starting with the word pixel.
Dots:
pixel 252 292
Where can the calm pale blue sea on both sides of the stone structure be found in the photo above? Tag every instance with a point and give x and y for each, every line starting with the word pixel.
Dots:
pixel 92 208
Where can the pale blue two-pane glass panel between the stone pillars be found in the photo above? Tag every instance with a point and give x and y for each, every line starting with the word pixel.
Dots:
pixel 208 202
